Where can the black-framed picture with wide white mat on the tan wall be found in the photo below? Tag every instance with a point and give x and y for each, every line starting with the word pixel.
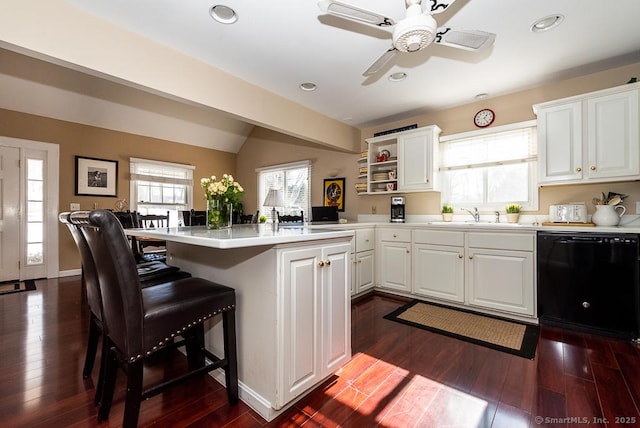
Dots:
pixel 96 177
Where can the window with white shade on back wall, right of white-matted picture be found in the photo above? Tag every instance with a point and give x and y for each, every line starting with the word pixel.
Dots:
pixel 158 187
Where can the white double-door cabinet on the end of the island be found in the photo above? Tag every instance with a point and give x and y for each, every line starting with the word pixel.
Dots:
pixel 315 335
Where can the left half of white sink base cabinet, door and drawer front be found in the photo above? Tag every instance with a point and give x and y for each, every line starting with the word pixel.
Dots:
pixel 438 264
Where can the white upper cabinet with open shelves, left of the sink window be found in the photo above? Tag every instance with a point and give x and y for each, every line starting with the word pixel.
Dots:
pixel 404 161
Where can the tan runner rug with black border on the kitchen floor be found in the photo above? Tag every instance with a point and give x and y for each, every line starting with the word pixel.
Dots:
pixel 503 335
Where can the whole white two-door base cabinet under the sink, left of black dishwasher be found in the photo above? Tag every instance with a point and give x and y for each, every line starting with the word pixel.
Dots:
pixel 493 271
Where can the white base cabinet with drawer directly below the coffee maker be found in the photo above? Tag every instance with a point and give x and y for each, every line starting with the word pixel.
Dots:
pixel 393 255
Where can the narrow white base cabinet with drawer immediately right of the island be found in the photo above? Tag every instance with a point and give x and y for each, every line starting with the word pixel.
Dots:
pixel 363 258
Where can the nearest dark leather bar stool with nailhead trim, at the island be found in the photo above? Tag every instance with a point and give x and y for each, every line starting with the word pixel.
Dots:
pixel 140 321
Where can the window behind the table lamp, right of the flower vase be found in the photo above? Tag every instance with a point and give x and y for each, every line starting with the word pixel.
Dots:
pixel 293 180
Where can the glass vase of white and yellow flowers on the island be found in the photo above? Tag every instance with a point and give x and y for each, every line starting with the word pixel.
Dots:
pixel 222 195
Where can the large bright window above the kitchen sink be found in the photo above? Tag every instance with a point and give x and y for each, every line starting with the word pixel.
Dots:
pixel 489 169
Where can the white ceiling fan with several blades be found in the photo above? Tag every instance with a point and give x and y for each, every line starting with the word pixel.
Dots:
pixel 413 33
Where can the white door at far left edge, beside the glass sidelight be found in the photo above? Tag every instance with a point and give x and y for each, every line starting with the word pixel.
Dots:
pixel 10 248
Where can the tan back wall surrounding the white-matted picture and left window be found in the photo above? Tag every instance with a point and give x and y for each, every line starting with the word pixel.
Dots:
pixel 75 139
